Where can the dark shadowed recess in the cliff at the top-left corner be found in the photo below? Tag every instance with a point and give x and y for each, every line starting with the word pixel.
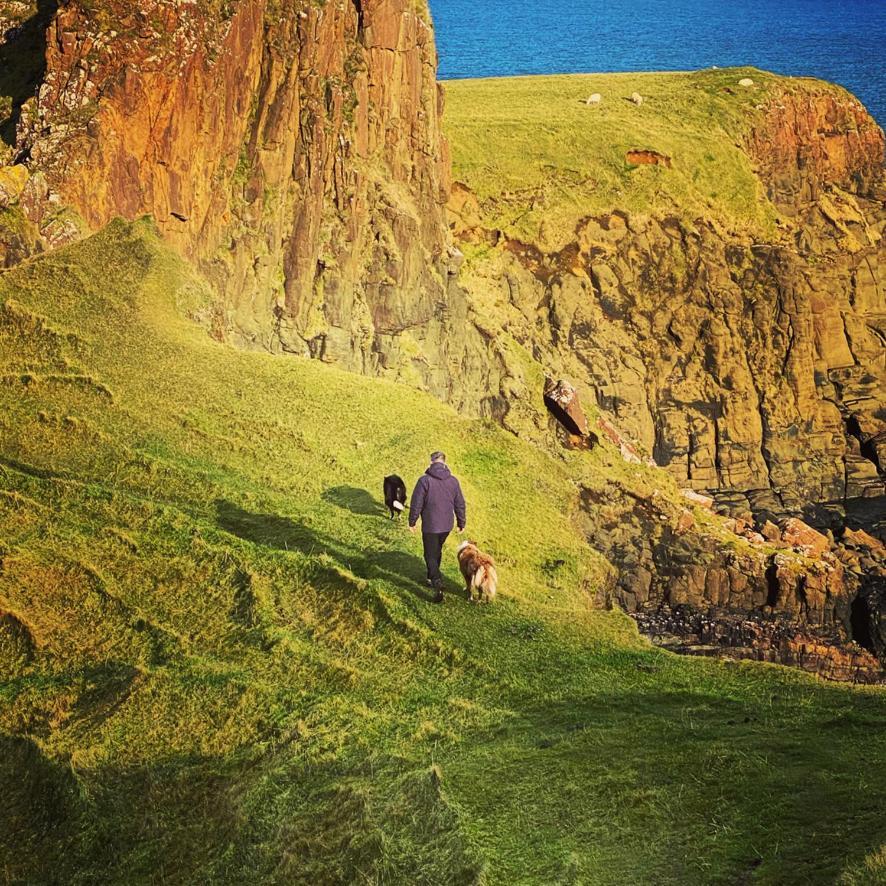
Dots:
pixel 22 67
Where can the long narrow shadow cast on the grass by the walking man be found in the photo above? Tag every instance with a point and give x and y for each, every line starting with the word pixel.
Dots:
pixel 398 568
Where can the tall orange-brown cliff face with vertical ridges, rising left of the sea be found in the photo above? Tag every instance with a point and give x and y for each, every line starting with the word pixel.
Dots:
pixel 293 151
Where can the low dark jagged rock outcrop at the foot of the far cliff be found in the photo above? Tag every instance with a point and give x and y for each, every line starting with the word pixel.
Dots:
pixel 720 590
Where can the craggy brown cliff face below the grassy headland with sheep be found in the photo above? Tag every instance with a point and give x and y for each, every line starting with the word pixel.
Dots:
pixel 748 367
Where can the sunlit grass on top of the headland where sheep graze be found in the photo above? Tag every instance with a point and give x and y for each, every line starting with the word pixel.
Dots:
pixel 540 160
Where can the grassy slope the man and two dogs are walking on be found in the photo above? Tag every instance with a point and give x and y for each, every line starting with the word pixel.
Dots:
pixel 237 678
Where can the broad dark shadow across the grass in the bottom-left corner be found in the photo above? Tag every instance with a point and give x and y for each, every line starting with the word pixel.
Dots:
pixel 223 819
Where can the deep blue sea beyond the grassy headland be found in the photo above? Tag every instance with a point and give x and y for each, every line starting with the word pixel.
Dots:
pixel 839 40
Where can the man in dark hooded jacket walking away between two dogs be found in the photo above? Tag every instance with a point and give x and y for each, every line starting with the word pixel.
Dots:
pixel 437 498
